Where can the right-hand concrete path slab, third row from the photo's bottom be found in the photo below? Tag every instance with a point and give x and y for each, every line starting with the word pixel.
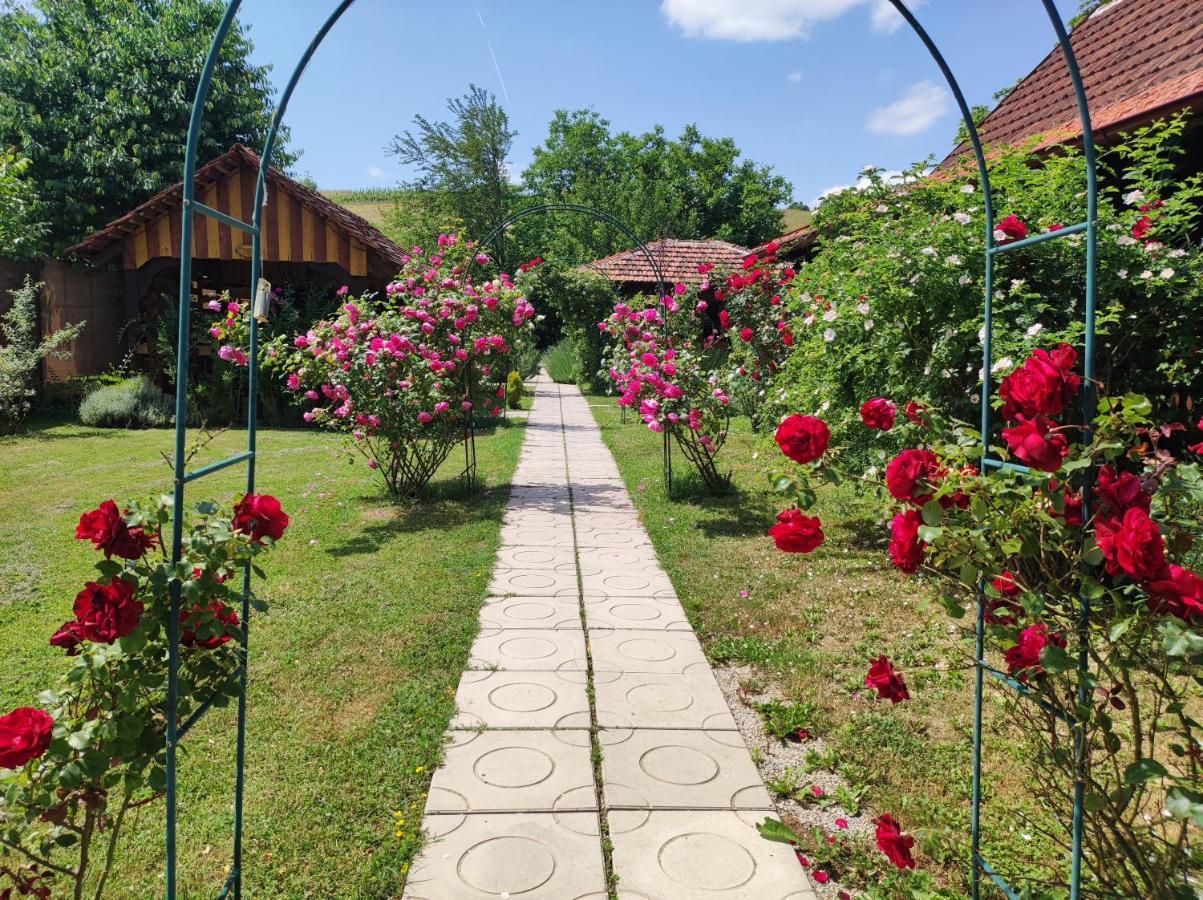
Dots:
pixel 645 701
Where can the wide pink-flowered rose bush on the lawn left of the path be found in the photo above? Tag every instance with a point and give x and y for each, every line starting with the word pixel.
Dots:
pixel 400 375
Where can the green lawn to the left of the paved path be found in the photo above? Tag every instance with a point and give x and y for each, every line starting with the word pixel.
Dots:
pixel 353 670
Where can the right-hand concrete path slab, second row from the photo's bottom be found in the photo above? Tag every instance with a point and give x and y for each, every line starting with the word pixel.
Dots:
pixel 681 771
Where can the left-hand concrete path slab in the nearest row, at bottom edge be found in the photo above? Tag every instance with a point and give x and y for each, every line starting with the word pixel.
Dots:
pixel 531 856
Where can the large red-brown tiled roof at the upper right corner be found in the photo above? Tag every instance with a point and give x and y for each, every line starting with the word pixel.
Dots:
pixel 1139 58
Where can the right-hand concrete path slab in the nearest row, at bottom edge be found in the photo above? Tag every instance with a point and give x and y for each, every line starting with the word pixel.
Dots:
pixel 703 855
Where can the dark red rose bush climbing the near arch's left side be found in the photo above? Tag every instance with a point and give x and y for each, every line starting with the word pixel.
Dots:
pixel 94 749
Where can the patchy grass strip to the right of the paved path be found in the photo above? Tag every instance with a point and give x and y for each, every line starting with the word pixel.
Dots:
pixel 811 625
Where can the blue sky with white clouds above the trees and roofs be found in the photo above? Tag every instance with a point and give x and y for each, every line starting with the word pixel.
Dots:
pixel 816 88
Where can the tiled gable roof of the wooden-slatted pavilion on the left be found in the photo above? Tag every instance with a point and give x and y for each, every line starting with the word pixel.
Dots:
pixel 96 246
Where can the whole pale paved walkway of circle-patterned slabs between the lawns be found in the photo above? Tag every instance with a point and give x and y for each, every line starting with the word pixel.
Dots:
pixel 589 713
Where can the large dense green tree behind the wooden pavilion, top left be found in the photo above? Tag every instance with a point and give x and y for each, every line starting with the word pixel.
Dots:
pixel 98 94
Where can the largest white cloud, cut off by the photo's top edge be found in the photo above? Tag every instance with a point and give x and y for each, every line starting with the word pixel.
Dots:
pixel 772 20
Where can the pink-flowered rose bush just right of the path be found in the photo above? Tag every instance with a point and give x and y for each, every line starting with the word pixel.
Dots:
pixel 660 368
